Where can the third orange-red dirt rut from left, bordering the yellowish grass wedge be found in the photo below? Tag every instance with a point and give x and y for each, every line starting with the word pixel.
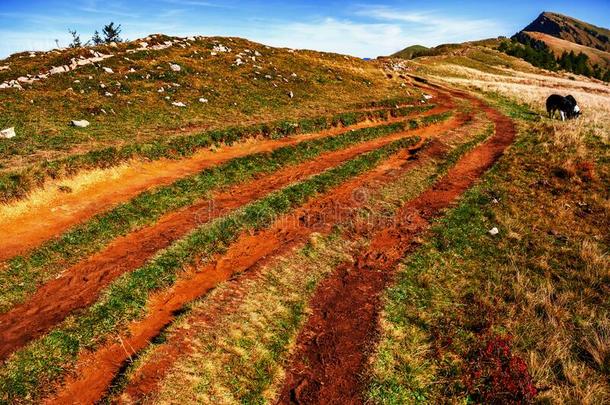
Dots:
pixel 96 370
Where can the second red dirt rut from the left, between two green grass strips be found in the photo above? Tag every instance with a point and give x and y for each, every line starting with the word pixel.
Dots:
pixel 80 285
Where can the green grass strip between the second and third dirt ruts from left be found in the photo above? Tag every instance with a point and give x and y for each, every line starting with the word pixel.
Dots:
pixel 43 361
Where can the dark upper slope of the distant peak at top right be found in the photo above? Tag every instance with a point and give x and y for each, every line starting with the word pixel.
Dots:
pixel 572 30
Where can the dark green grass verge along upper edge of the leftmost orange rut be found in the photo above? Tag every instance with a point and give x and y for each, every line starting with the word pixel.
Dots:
pixel 17 184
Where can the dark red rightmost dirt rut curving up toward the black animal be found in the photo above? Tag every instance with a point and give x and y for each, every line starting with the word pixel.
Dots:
pixel 331 351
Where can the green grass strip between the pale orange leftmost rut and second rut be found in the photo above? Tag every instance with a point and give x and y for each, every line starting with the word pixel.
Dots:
pixel 25 273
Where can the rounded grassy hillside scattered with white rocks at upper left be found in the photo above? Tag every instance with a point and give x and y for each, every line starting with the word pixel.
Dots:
pixel 170 87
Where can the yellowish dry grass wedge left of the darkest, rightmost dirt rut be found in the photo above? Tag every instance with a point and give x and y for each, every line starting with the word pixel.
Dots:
pixel 241 359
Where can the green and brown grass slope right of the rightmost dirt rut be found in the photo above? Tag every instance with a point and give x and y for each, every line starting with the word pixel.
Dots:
pixel 539 283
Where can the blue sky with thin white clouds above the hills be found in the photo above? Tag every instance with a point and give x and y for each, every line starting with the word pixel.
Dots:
pixel 359 28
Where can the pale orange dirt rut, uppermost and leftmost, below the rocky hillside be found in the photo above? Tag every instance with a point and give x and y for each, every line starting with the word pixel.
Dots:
pixel 51 218
